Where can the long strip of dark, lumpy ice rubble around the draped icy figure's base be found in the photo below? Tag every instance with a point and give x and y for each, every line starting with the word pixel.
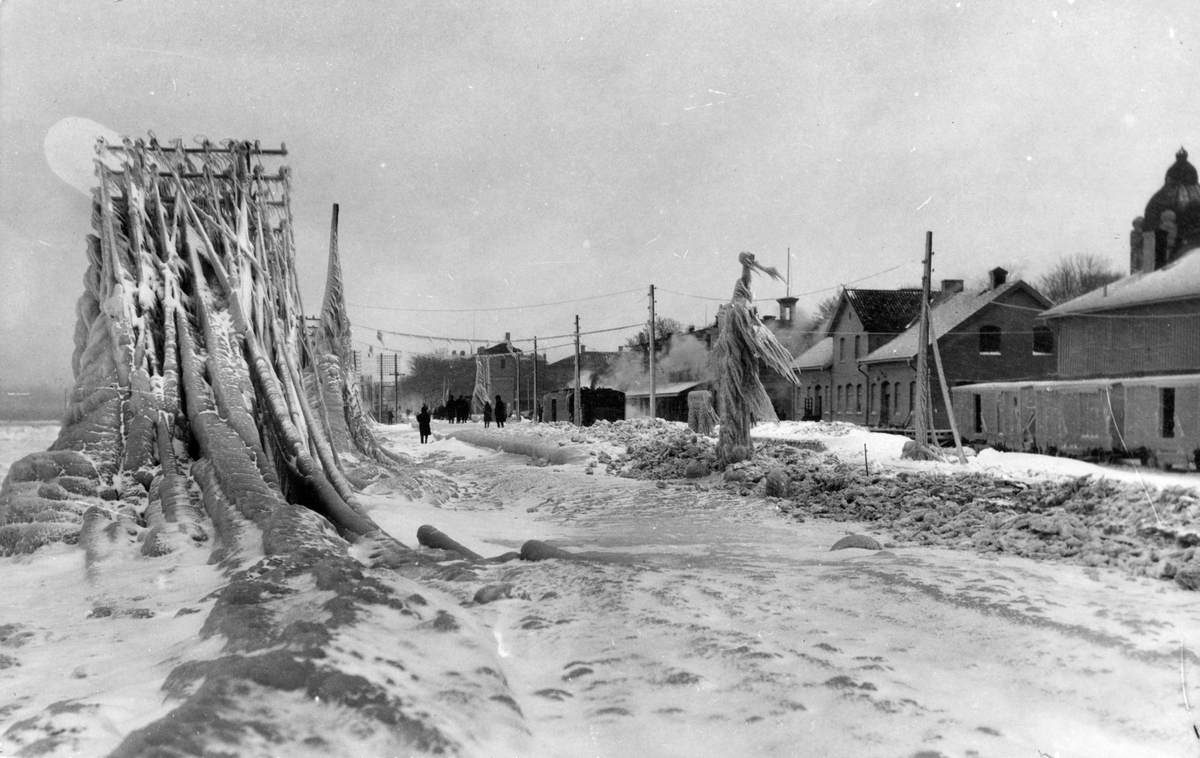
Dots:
pixel 1082 521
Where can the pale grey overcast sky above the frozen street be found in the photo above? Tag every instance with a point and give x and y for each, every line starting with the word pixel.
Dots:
pixel 496 155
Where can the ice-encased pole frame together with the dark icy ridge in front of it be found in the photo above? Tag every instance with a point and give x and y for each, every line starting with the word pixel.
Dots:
pixel 208 423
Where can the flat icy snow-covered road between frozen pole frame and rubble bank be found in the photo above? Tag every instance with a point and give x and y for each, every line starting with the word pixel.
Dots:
pixel 739 633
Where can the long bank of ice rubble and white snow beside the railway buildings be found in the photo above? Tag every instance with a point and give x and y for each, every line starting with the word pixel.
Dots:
pixel 1147 524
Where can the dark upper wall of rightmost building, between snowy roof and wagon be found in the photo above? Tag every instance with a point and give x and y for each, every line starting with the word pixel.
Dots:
pixel 1149 340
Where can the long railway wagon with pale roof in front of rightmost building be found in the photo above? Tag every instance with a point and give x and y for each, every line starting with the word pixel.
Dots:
pixel 1156 419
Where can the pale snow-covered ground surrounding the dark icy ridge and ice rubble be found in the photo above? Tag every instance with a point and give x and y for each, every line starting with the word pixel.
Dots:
pixel 731 631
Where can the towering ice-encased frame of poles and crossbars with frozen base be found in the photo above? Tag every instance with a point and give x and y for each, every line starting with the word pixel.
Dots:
pixel 191 350
